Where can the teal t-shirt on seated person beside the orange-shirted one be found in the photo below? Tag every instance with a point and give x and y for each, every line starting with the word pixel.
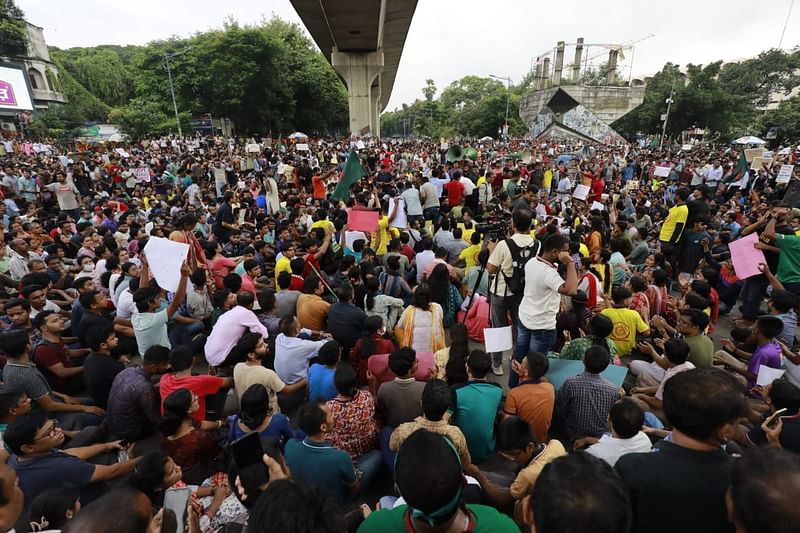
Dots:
pixel 477 403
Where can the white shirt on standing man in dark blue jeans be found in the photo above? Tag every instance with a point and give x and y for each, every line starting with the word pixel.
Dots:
pixel 541 300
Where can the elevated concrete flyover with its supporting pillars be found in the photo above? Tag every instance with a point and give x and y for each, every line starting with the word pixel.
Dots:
pixel 363 40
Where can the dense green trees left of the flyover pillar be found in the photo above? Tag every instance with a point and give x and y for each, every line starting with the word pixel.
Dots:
pixel 267 76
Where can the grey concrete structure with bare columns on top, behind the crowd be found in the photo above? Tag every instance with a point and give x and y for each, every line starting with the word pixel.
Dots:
pixel 582 99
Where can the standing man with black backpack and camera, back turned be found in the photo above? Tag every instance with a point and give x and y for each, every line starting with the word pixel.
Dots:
pixel 508 255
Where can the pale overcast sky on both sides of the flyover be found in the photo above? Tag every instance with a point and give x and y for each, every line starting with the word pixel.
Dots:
pixel 449 39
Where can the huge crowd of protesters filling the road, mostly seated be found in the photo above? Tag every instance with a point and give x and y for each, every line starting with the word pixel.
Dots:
pixel 357 355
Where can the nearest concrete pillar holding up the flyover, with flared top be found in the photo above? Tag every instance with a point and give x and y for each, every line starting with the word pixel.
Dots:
pixel 359 70
